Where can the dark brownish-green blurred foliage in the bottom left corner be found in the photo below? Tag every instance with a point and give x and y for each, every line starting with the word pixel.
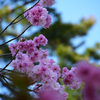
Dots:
pixel 16 86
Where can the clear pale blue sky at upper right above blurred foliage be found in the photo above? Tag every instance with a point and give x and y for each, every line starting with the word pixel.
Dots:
pixel 73 10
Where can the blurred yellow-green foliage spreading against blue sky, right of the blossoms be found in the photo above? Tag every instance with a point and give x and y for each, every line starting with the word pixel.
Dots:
pixel 59 37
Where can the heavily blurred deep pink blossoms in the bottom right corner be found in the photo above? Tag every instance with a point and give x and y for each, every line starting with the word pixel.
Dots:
pixel 90 75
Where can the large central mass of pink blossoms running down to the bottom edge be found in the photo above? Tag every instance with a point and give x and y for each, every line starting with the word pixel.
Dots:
pixel 33 61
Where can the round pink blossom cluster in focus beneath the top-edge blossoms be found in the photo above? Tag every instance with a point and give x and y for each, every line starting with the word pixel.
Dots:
pixel 38 16
